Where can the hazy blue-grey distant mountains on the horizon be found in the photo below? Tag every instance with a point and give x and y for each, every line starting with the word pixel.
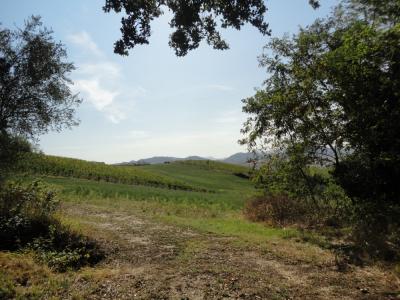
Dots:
pixel 240 158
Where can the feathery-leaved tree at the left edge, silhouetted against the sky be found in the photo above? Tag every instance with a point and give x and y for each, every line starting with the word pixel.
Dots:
pixel 35 93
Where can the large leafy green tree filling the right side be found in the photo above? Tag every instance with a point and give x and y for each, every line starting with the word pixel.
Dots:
pixel 334 89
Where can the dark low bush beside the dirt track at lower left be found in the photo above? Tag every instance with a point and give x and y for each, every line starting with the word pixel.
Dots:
pixel 27 221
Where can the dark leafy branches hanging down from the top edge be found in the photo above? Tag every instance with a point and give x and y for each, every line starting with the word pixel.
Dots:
pixel 192 21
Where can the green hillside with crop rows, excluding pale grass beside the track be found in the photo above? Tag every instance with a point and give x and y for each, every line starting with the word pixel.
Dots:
pixel 212 187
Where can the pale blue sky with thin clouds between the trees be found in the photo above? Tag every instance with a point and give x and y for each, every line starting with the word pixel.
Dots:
pixel 152 102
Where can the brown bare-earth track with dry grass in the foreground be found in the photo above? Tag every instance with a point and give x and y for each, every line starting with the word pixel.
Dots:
pixel 149 260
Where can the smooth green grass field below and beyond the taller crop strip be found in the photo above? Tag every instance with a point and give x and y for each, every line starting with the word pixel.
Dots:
pixel 213 205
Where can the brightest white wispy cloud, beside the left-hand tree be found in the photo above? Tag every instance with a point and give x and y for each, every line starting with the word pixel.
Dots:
pixel 101 82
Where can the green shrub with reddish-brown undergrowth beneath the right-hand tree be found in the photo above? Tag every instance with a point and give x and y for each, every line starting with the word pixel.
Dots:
pixel 295 193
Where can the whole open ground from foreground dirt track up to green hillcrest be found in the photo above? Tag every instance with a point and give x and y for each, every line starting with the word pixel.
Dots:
pixel 167 241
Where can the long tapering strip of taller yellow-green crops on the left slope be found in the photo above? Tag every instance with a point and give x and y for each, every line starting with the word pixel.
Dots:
pixel 40 164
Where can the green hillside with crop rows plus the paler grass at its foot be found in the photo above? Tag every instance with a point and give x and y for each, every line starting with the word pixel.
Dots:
pixel 202 194
